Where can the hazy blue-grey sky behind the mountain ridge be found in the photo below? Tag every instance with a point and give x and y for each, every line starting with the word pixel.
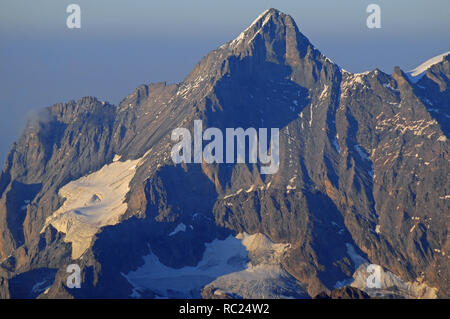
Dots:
pixel 122 44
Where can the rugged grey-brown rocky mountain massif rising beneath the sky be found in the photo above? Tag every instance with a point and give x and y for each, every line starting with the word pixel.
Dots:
pixel 363 179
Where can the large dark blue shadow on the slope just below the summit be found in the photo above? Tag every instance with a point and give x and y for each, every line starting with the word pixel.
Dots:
pixel 254 95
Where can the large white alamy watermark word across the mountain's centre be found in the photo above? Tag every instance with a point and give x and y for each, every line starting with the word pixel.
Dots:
pixel 213 152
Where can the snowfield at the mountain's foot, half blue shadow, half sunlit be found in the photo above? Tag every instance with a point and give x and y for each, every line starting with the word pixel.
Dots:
pixel 246 265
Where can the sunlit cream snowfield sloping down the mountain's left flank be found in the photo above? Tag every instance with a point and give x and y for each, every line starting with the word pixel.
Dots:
pixel 92 202
